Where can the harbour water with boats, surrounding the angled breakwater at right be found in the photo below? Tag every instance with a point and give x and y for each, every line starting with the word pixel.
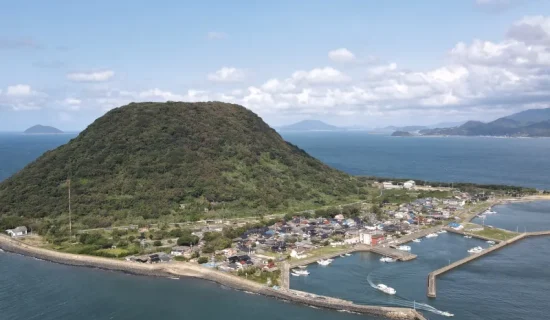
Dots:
pixel 511 283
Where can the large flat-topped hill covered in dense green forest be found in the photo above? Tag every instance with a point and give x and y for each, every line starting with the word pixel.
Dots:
pixel 173 159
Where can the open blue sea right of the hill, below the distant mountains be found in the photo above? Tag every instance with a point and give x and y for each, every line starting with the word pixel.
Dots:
pixel 522 162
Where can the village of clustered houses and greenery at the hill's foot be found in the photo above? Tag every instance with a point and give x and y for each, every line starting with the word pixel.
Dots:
pixel 257 250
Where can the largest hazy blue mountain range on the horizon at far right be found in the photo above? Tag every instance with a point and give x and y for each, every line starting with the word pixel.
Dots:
pixel 528 123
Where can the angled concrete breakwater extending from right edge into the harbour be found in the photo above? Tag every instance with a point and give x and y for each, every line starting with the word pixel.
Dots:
pixel 433 275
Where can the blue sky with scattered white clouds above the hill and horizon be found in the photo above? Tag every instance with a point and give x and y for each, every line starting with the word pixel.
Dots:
pixel 349 63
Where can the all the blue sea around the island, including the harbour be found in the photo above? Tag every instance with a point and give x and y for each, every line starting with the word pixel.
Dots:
pixel 512 283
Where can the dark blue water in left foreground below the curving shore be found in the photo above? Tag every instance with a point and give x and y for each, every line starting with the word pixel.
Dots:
pixel 34 289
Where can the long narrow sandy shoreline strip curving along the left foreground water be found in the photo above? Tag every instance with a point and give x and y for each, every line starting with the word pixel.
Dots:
pixel 182 269
